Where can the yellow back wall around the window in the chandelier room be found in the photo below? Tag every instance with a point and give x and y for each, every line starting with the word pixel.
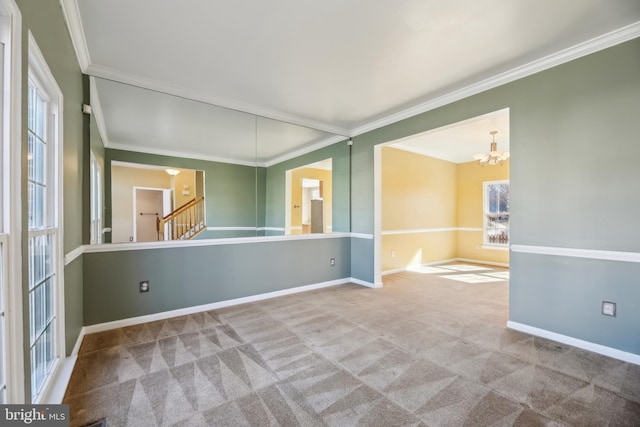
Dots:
pixel 470 188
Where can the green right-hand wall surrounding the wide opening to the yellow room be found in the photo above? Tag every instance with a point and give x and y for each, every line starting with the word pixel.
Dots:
pixel 574 131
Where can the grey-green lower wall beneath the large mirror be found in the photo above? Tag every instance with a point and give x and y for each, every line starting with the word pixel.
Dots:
pixel 191 276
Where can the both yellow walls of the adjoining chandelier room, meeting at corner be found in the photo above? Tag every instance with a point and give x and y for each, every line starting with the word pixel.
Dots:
pixel 420 192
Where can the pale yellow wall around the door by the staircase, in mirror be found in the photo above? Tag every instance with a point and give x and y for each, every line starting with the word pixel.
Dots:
pixel 123 179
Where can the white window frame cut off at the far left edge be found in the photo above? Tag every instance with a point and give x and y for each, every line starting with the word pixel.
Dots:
pixel 11 203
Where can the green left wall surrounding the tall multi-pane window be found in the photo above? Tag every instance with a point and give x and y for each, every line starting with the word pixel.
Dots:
pixel 45 21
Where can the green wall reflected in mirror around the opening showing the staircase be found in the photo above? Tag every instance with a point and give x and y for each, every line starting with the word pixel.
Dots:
pixel 230 190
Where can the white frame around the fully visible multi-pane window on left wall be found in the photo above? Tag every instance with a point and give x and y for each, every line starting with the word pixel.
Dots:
pixel 39 72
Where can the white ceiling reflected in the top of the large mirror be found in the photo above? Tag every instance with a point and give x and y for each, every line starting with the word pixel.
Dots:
pixel 139 119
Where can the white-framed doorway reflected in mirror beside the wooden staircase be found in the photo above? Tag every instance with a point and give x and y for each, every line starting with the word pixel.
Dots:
pixel 149 205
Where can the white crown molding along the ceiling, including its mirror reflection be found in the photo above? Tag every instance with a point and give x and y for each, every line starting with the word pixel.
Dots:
pixel 75 26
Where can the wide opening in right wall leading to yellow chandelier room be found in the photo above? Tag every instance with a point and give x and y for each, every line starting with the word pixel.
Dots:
pixel 430 193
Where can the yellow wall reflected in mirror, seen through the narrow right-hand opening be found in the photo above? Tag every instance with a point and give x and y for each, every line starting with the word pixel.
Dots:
pixel 296 196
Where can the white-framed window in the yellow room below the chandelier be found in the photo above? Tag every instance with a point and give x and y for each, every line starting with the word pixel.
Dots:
pixel 496 213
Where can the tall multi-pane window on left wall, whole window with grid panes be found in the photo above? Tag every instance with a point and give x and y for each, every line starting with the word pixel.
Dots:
pixel 43 221
